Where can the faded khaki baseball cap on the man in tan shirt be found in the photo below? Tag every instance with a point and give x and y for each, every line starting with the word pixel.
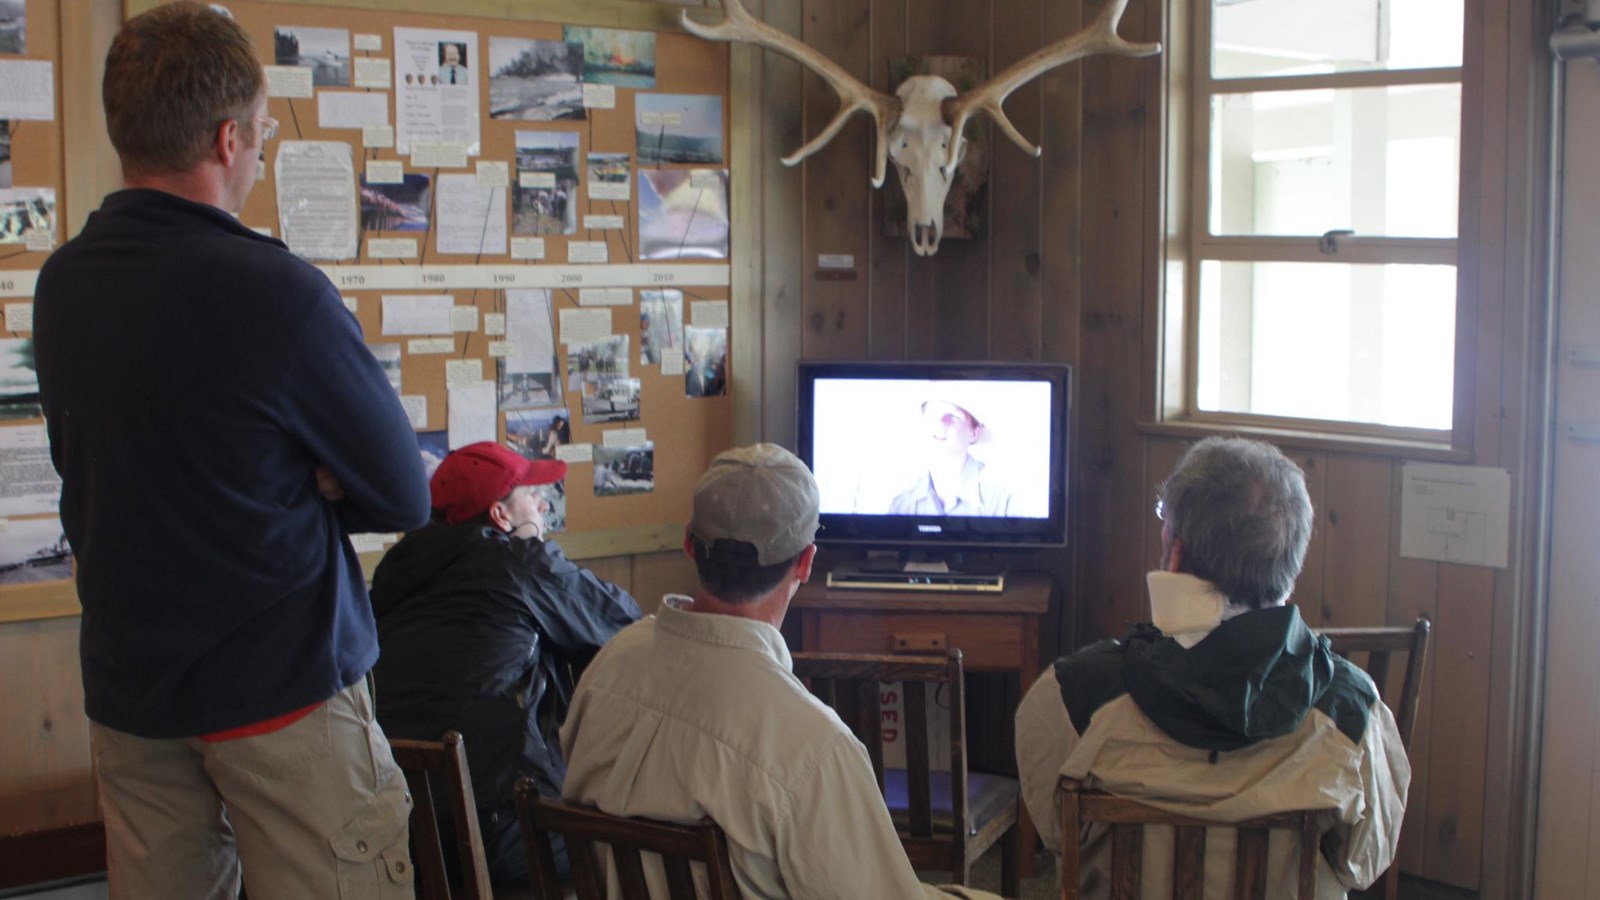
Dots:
pixel 762 496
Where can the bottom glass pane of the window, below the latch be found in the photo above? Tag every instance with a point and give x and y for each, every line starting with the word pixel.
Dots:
pixel 1329 342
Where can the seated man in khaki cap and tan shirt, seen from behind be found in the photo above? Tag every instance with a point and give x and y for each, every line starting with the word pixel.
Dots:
pixel 695 712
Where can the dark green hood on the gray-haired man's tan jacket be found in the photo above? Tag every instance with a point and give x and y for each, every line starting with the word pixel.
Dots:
pixel 1254 678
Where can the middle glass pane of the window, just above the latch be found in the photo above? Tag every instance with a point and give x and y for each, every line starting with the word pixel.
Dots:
pixel 1374 161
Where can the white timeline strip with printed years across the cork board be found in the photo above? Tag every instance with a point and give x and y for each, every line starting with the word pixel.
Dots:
pixel 402 278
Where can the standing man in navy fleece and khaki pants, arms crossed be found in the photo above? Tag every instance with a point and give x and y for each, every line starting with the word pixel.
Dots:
pixel 220 428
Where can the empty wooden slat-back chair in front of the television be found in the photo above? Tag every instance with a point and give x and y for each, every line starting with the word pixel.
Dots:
pixel 946 821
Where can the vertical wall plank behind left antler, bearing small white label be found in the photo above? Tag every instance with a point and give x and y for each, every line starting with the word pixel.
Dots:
pixel 838 183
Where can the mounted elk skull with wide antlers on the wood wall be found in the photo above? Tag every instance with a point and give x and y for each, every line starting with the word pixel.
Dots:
pixel 921 126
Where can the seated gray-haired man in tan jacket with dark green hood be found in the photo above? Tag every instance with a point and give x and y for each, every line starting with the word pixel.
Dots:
pixel 1228 707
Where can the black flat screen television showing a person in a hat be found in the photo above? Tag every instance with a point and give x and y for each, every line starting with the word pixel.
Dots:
pixel 938 456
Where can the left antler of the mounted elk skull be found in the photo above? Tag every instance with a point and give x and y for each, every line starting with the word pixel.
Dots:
pixel 854 97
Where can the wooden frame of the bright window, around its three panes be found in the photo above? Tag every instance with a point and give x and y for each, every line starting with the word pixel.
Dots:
pixel 1190 243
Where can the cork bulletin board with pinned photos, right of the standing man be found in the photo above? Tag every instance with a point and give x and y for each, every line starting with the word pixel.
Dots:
pixel 593 195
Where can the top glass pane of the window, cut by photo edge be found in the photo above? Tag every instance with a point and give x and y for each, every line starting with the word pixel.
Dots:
pixel 1306 38
